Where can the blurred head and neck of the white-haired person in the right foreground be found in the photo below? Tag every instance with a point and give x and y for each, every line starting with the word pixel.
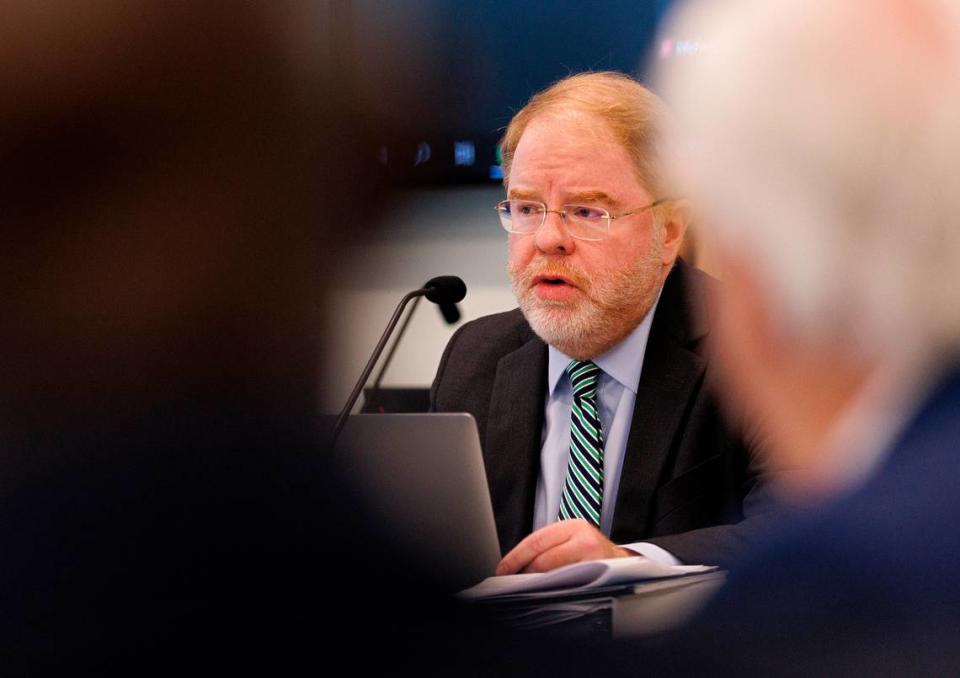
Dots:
pixel 820 141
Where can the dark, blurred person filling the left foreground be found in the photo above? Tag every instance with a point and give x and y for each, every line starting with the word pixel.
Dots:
pixel 164 503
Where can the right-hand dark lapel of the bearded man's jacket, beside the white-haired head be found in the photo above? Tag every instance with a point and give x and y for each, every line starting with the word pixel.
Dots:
pixel 671 372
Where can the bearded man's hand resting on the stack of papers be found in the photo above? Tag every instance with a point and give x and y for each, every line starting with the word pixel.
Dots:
pixel 557 544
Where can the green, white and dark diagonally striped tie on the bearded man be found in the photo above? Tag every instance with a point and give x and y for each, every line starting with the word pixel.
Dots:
pixel 583 490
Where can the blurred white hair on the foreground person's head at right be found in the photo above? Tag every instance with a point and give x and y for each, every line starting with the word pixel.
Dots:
pixel 822 139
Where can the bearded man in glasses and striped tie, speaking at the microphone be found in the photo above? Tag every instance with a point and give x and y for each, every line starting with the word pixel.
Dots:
pixel 593 400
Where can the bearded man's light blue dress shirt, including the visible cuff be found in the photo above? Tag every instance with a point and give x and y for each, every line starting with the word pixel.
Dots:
pixel 616 395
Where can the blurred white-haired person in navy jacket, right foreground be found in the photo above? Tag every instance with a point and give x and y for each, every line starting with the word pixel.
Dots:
pixel 821 141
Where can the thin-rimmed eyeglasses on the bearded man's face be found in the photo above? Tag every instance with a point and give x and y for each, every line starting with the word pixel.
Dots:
pixel 583 222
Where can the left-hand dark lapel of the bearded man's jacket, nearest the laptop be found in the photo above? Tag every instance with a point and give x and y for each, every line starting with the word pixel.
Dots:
pixel 512 445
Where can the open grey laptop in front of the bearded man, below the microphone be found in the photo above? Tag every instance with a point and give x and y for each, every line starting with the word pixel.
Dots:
pixel 421 482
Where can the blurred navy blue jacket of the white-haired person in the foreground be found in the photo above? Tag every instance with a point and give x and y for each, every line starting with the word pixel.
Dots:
pixel 866 586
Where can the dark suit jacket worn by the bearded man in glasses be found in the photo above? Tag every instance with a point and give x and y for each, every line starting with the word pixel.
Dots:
pixel 687 477
